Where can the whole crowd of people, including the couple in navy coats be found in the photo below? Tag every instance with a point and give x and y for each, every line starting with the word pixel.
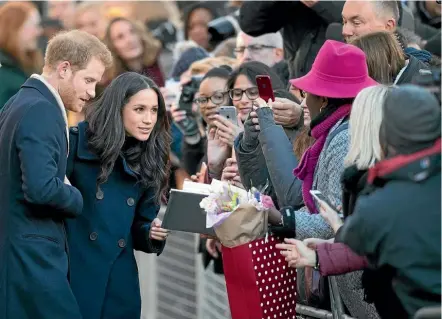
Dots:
pixel 98 122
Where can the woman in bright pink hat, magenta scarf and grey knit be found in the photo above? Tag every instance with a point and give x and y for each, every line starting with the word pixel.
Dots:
pixel 338 74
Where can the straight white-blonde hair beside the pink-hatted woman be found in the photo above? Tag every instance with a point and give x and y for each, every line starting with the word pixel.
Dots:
pixel 364 127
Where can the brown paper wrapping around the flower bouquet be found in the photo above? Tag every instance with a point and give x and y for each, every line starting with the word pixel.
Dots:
pixel 243 225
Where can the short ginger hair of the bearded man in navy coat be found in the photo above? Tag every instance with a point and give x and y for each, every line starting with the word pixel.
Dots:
pixel 78 48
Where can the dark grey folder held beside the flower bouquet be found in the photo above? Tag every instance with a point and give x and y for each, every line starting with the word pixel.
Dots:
pixel 183 213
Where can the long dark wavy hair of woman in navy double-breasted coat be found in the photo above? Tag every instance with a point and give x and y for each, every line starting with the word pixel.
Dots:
pixel 107 135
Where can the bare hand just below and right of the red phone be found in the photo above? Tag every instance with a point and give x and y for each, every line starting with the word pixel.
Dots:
pixel 286 112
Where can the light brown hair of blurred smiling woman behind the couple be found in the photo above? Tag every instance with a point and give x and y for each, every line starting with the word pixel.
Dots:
pixel 151 47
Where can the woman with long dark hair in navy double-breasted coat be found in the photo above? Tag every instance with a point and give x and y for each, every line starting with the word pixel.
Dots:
pixel 119 160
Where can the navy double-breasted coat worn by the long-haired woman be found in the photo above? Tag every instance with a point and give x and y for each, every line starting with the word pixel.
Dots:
pixel 115 220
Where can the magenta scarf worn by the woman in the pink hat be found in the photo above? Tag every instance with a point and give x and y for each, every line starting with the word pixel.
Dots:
pixel 306 168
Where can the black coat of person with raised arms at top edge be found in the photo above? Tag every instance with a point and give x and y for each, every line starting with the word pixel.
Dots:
pixel 303 28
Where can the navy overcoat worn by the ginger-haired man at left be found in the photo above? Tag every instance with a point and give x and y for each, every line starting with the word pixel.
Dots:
pixel 34 203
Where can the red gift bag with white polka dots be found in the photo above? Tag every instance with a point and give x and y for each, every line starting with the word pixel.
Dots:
pixel 260 285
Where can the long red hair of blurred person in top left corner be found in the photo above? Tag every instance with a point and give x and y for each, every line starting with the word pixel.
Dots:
pixel 12 17
